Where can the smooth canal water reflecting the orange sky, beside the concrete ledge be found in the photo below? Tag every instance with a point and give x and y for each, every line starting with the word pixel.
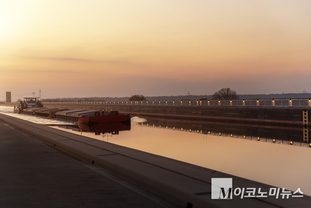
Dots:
pixel 285 166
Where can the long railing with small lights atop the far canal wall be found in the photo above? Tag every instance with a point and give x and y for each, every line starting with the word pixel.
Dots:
pixel 227 103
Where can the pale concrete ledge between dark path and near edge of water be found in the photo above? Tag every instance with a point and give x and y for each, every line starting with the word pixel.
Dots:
pixel 182 183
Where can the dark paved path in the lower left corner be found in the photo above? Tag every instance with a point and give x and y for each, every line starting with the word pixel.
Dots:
pixel 33 174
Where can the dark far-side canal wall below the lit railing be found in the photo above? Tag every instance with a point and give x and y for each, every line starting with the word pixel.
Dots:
pixel 244 115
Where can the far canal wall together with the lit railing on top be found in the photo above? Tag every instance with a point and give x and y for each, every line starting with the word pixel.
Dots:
pixel 269 112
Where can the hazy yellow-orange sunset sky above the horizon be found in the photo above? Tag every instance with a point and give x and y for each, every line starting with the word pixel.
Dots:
pixel 78 48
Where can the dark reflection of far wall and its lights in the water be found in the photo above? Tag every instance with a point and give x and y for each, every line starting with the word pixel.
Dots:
pixel 275 134
